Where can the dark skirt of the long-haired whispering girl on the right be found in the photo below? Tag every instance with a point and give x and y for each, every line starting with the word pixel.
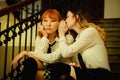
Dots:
pixel 93 74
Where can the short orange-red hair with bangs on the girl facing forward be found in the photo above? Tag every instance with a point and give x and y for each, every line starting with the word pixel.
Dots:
pixel 51 13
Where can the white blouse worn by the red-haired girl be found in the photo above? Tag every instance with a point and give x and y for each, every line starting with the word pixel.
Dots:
pixel 41 47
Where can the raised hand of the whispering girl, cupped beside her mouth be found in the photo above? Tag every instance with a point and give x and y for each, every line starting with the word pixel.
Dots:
pixel 62 28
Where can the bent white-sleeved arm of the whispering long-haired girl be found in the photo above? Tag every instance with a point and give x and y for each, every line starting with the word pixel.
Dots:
pixel 84 41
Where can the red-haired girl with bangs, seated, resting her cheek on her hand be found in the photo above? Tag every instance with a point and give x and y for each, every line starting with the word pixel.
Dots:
pixel 37 64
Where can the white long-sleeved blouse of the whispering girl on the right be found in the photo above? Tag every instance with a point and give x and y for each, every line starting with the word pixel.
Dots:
pixel 91 47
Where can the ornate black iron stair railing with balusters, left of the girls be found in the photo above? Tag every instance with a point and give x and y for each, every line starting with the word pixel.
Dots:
pixel 10 34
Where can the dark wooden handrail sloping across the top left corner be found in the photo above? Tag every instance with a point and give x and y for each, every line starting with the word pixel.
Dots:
pixel 15 6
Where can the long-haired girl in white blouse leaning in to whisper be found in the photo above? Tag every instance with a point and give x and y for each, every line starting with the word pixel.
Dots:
pixel 89 43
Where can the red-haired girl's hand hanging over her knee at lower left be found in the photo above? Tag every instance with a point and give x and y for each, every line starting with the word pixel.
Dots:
pixel 18 57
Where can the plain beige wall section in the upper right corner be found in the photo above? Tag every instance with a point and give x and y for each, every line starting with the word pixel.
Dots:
pixel 112 9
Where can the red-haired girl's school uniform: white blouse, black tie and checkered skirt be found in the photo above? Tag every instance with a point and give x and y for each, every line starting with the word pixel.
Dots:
pixel 42 46
